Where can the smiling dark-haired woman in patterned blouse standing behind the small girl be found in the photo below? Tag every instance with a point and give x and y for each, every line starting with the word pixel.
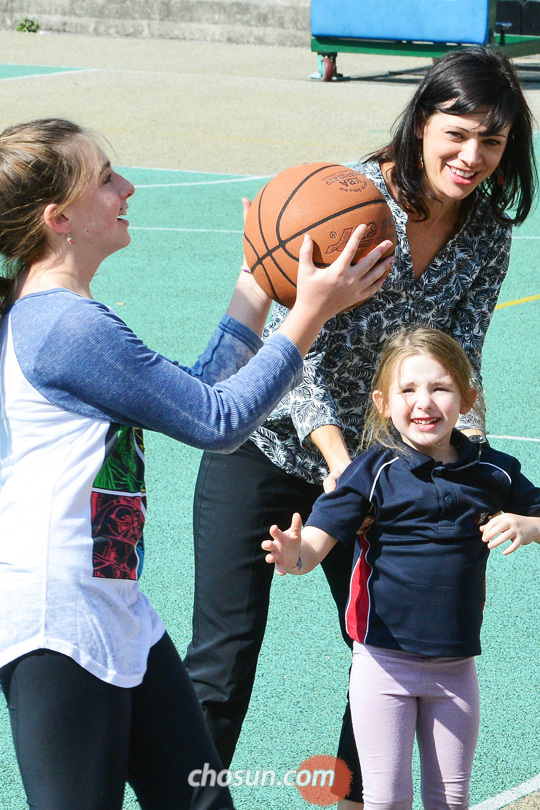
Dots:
pixel 461 156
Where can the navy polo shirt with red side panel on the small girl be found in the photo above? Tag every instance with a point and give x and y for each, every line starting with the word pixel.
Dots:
pixel 418 581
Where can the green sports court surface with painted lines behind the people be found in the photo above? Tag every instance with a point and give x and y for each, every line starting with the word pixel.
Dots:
pixel 171 286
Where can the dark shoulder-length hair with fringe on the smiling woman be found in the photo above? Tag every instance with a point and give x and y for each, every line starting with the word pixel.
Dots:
pixel 471 80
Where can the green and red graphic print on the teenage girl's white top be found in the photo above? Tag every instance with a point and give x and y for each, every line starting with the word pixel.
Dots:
pixel 119 506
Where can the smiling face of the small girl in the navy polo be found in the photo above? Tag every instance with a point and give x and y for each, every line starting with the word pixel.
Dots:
pixel 424 405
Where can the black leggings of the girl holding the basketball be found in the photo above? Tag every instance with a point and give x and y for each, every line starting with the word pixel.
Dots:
pixel 78 739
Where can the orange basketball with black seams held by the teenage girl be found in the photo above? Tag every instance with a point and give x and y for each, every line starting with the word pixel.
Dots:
pixel 325 200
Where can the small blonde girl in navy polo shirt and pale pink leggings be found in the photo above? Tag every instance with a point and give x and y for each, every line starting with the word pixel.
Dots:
pixel 439 502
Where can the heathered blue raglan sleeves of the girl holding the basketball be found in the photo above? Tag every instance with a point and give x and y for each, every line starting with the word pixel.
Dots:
pixel 81 356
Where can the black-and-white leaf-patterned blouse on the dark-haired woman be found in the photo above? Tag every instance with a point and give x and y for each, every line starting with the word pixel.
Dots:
pixel 456 293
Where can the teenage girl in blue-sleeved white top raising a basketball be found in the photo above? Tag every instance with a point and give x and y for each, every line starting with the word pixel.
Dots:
pixel 96 691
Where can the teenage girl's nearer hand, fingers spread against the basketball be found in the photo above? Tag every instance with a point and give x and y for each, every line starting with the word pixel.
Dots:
pixel 342 284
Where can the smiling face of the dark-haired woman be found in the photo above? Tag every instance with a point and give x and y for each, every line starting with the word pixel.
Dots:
pixel 458 155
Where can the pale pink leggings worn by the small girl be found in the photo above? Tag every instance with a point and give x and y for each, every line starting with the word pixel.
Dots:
pixel 395 695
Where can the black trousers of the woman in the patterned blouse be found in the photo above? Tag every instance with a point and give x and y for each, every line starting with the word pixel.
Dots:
pixel 237 498
